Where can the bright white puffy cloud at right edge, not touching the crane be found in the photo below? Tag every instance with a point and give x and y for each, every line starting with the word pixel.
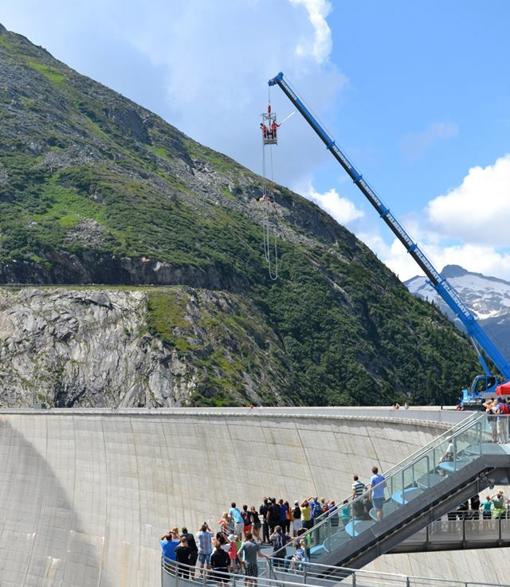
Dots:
pixel 477 211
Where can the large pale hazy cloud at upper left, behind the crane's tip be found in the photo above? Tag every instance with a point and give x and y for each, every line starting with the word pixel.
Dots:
pixel 202 65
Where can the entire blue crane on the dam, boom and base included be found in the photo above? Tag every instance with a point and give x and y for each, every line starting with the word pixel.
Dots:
pixel 483 386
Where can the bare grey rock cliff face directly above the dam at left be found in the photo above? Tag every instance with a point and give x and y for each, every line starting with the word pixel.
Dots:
pixel 100 347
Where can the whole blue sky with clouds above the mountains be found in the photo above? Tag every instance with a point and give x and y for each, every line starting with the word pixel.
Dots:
pixel 416 93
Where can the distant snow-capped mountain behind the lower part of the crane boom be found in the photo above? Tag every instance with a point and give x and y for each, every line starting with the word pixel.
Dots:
pixel 487 297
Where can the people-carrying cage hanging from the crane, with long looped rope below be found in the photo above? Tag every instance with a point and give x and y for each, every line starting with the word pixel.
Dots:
pixel 269 128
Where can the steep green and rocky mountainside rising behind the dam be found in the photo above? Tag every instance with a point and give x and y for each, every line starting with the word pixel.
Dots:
pixel 95 189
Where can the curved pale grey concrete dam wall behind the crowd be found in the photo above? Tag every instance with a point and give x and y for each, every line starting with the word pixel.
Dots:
pixel 86 494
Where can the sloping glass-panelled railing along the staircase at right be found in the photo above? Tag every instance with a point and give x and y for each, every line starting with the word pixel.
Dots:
pixel 443 457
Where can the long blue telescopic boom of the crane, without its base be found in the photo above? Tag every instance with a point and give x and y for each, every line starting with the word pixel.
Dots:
pixel 441 285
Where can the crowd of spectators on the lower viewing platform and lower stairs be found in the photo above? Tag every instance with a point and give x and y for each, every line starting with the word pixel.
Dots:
pixel 242 532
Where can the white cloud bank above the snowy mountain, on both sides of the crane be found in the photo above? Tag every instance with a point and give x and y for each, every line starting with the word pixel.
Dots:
pixel 467 227
